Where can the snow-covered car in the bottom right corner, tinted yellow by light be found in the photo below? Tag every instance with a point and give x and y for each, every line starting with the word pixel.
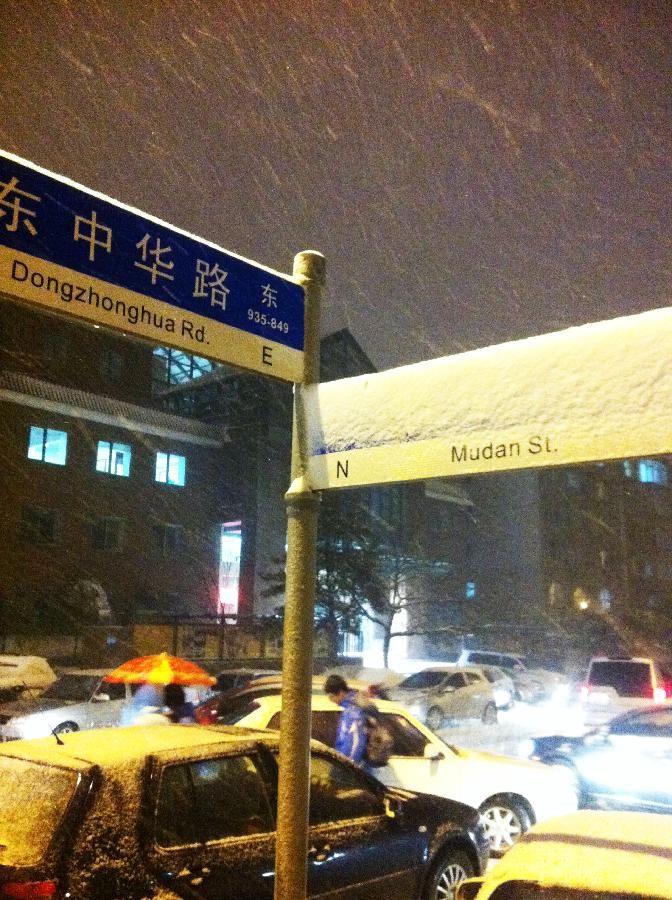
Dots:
pixel 589 854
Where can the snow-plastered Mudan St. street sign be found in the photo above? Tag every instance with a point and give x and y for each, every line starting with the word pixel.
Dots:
pixel 596 392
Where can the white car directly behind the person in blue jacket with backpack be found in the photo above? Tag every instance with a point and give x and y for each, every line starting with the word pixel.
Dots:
pixel 511 794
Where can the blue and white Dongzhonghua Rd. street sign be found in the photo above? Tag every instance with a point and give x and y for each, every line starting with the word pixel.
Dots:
pixel 70 250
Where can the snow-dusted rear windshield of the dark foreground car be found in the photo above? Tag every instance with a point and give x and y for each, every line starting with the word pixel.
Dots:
pixel 33 800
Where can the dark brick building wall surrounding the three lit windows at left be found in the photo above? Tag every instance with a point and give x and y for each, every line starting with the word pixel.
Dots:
pixel 145 570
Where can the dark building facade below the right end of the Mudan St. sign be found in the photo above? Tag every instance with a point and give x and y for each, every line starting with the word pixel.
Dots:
pixel 608 536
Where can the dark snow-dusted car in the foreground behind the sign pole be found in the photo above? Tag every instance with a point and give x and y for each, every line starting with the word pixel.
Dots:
pixel 177 811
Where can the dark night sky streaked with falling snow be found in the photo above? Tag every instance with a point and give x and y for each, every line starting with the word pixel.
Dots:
pixel 473 171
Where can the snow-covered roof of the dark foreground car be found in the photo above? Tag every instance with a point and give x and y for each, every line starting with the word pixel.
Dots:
pixel 116 746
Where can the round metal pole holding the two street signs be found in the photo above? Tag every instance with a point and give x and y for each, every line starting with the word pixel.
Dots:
pixel 297 655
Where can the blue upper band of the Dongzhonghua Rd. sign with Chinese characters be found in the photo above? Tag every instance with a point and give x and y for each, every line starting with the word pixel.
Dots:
pixel 249 297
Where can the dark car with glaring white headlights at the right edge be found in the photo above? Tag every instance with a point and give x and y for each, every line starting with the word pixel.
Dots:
pixel 626 764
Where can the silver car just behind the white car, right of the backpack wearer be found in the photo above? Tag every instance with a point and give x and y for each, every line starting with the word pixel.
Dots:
pixel 441 695
